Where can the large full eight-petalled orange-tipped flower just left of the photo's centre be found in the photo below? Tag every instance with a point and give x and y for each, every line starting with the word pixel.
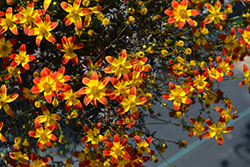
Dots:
pixel 95 89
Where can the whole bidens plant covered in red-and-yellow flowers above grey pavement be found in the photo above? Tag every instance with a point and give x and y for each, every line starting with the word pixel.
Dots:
pixel 81 76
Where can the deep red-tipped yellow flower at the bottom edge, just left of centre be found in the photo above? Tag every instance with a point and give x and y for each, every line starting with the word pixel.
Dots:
pixel 116 149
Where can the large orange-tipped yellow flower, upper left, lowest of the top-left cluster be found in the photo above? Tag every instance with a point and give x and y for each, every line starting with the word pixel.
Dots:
pixel 43 29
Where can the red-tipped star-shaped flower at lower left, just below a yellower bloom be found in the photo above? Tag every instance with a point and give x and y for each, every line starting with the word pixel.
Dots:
pixel 44 135
